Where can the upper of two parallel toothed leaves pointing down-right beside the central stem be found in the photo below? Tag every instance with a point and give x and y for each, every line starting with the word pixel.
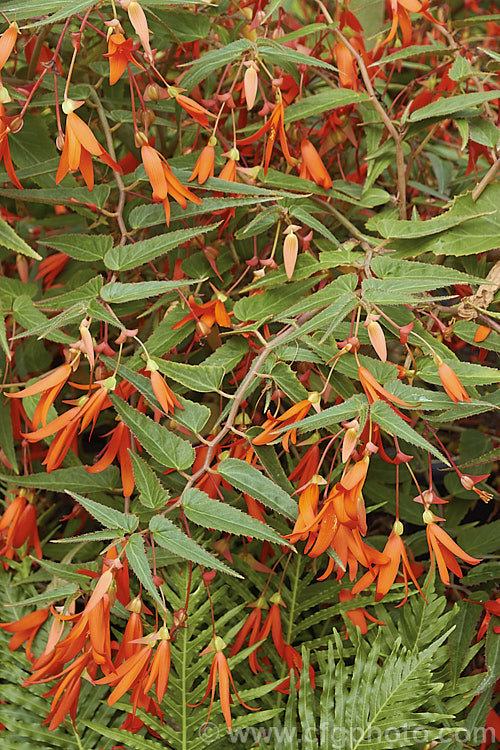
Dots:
pixel 250 480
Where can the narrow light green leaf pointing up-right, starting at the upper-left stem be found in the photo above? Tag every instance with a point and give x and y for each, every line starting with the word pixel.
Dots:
pixel 123 258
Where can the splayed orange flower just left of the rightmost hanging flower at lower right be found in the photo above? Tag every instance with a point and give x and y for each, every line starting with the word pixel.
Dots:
pixel 387 573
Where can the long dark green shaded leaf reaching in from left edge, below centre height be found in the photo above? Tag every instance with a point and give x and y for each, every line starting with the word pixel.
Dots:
pixel 76 478
